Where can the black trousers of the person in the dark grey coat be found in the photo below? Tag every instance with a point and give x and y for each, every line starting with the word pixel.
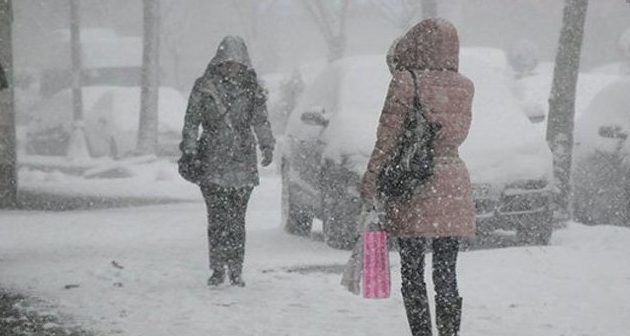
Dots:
pixel 226 226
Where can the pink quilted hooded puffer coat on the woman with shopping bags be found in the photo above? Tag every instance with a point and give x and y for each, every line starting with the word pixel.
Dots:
pixel 443 206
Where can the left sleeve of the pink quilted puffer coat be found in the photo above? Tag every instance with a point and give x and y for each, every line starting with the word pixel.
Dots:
pixel 398 103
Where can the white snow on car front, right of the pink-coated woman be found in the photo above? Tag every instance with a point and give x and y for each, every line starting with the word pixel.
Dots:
pixel 502 146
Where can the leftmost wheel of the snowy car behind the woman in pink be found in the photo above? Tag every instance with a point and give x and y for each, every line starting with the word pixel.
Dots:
pixel 296 219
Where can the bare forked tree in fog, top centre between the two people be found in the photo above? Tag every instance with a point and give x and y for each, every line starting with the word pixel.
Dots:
pixel 330 17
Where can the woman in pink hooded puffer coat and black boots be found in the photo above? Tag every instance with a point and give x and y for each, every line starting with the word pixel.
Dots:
pixel 441 210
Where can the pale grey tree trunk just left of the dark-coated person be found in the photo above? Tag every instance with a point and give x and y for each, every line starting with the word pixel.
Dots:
pixel 148 125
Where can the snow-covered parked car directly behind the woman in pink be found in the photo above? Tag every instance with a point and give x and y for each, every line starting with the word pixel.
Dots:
pixel 331 134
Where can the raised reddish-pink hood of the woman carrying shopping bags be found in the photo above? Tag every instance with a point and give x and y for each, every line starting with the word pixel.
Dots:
pixel 432 44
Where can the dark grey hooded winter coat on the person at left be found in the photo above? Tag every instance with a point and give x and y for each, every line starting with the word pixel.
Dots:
pixel 230 111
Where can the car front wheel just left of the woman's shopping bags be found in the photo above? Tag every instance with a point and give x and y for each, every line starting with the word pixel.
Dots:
pixel 340 222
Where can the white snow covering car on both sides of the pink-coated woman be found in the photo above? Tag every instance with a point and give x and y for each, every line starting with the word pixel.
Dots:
pixel 502 147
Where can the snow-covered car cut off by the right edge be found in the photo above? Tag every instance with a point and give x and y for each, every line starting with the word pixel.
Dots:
pixel 601 158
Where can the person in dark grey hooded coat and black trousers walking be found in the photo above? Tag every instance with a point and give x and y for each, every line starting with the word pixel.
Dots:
pixel 230 106
